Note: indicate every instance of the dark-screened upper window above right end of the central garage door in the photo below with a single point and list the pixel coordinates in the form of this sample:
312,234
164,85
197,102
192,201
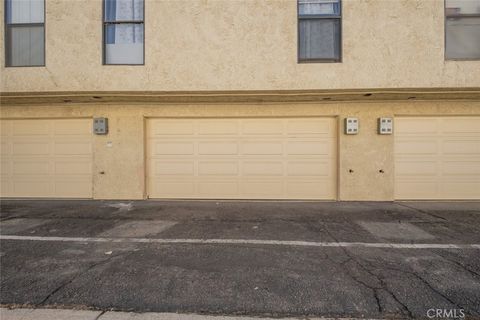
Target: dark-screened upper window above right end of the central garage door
319,30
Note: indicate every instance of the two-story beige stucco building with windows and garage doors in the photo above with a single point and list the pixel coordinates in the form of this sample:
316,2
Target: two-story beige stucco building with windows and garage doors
241,99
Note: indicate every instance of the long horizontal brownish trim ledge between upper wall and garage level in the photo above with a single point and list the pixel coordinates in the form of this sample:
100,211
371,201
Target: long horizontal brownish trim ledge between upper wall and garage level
248,96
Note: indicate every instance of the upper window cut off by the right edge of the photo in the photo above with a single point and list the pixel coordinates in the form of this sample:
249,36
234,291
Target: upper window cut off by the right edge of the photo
462,29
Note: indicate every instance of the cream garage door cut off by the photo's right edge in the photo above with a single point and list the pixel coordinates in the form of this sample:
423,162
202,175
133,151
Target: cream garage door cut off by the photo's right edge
437,158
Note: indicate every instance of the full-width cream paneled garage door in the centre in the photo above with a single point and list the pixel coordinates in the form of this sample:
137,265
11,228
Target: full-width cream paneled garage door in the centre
242,158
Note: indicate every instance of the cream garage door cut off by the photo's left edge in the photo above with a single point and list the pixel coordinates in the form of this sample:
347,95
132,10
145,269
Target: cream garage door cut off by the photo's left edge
46,158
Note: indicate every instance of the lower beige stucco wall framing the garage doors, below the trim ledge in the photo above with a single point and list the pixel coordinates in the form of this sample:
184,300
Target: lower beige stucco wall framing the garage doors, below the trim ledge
365,153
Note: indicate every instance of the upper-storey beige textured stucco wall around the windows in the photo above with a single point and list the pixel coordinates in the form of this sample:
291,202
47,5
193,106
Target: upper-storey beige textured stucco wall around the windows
245,45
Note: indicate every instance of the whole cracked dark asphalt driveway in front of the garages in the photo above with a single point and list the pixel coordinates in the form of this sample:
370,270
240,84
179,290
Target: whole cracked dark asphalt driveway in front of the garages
340,259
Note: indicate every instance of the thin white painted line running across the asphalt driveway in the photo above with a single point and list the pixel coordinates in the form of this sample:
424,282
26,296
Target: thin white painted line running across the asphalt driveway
249,241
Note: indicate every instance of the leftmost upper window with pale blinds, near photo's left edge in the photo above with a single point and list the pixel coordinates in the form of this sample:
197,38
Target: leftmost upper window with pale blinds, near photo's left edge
24,33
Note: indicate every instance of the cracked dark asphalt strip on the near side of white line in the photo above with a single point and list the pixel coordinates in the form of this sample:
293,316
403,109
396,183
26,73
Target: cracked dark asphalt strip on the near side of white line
241,279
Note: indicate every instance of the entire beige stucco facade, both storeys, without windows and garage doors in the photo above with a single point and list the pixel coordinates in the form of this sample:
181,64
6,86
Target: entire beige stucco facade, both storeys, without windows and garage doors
220,46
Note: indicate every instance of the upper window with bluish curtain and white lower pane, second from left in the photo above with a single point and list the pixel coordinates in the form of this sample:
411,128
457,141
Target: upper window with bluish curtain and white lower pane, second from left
123,32
